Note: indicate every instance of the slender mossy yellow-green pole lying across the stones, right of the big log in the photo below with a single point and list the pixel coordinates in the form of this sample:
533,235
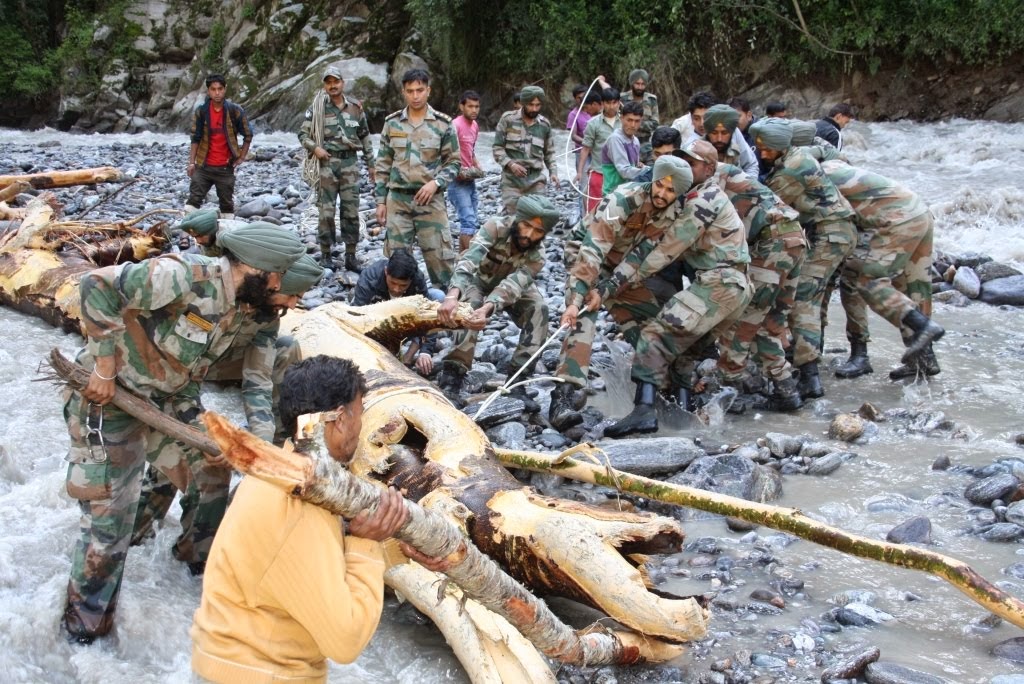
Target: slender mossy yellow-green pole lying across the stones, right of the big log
957,573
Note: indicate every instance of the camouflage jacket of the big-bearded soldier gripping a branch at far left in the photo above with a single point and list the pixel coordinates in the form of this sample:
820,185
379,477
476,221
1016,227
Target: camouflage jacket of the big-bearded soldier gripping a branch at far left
165,320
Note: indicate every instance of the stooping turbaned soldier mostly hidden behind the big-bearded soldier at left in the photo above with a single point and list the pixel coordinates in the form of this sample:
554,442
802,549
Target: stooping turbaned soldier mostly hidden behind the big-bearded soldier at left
259,357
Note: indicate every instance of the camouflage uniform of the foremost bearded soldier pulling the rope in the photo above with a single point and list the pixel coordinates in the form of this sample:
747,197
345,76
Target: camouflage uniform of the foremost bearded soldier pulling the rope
619,224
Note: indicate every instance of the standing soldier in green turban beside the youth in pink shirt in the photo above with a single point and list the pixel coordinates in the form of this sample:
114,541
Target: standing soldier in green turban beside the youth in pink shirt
524,146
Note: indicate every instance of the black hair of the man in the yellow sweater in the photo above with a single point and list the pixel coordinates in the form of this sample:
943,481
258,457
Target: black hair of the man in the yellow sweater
318,384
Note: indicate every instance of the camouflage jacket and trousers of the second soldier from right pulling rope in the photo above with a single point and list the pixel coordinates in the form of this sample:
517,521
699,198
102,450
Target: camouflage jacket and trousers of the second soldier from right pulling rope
798,181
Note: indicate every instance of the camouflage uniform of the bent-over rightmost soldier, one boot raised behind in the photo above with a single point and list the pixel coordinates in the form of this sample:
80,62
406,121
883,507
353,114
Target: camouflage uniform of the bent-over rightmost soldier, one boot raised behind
891,272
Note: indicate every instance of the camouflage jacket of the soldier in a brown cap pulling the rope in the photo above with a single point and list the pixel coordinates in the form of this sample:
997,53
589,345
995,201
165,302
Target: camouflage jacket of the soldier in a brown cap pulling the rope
707,235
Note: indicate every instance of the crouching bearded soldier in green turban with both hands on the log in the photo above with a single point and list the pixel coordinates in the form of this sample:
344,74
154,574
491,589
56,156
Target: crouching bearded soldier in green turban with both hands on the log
497,273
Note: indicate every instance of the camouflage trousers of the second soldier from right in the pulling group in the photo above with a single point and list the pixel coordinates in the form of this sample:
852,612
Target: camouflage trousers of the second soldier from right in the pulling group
833,243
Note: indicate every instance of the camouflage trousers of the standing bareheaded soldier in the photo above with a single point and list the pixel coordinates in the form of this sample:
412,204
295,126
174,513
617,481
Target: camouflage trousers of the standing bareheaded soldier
428,226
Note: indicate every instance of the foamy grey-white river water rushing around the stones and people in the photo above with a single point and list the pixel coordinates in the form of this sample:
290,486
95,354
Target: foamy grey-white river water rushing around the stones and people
972,176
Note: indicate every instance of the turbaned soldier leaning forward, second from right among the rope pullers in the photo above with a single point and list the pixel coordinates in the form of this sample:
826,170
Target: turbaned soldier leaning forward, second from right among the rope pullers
798,180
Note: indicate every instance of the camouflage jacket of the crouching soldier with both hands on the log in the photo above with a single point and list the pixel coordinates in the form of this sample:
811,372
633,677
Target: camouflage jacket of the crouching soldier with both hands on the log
494,262
